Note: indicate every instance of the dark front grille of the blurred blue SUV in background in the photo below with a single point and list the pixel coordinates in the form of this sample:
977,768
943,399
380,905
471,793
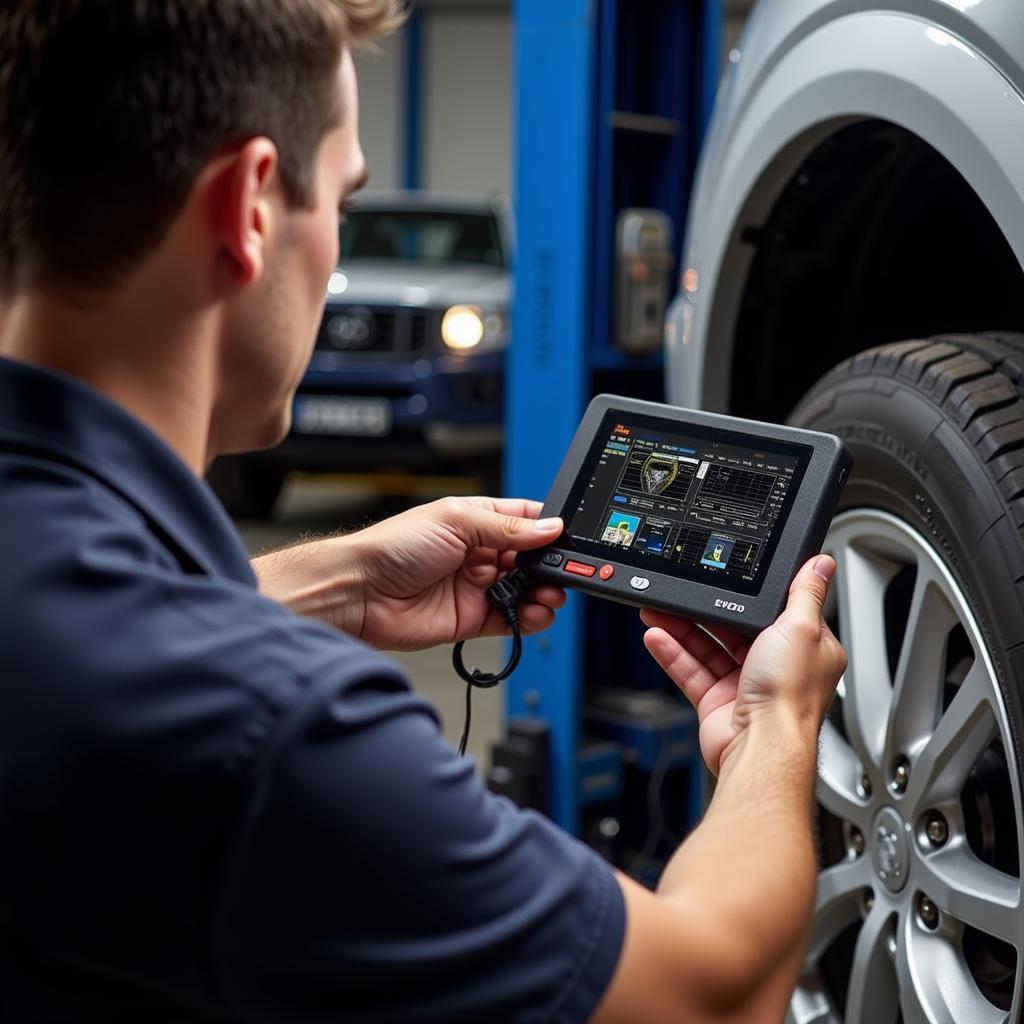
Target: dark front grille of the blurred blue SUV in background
360,331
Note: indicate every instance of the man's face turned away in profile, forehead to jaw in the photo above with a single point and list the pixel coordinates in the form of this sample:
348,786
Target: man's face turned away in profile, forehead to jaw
271,340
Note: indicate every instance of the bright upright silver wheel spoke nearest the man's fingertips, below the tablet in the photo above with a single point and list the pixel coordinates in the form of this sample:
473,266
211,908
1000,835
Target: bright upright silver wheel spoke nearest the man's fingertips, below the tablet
862,581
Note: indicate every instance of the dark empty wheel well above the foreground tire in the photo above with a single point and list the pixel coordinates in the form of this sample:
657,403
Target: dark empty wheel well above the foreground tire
876,238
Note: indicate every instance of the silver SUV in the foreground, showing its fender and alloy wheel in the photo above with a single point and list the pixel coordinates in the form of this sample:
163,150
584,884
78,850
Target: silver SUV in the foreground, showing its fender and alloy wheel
854,263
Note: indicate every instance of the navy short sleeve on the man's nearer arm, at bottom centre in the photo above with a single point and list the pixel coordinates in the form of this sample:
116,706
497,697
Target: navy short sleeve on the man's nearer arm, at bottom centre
377,879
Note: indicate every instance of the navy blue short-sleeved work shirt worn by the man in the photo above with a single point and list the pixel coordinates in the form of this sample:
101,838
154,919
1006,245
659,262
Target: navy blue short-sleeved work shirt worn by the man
215,810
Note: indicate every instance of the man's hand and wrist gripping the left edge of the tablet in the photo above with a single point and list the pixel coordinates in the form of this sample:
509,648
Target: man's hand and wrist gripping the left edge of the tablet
421,578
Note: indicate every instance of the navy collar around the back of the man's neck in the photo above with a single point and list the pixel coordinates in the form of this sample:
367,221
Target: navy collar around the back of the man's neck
58,416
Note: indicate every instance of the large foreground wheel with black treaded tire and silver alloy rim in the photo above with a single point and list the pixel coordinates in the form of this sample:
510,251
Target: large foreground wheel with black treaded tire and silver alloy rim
919,904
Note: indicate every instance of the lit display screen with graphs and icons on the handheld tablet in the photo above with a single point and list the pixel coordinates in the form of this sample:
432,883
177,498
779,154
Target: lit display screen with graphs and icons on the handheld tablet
699,503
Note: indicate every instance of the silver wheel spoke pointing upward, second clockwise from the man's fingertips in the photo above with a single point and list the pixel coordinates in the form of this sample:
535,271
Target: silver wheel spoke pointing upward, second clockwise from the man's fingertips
920,675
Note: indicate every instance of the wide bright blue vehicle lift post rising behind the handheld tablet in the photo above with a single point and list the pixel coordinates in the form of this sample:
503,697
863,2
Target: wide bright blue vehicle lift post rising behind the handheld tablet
613,98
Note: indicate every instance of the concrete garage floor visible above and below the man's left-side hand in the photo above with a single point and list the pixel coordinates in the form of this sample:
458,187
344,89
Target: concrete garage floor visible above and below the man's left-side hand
312,505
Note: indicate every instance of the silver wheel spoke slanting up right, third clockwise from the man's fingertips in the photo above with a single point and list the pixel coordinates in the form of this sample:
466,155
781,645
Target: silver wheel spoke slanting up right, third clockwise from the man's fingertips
963,734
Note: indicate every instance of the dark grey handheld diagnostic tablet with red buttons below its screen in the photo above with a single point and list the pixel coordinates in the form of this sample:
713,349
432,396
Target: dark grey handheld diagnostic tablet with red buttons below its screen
702,516
